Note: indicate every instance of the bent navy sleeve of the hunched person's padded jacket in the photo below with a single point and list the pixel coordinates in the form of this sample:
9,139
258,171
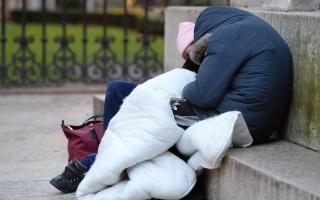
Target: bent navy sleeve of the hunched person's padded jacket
225,54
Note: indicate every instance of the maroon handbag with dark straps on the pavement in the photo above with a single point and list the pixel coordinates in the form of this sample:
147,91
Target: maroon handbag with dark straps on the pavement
83,139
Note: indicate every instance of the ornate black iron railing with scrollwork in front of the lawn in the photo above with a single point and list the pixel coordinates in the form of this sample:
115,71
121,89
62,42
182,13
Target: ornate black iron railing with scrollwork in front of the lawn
63,65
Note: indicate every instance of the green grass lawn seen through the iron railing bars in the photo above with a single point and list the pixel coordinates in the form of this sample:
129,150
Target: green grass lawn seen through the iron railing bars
75,30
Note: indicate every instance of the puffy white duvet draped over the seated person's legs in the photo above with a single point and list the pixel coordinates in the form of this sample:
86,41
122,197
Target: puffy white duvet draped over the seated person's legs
133,162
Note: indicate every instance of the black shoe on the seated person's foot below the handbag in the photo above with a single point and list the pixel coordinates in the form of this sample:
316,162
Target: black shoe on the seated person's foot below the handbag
69,180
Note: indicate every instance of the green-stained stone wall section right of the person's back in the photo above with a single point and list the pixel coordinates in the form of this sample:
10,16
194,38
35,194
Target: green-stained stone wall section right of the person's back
302,33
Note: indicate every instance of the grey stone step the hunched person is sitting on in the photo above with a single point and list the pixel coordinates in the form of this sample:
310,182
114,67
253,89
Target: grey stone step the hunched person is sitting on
276,171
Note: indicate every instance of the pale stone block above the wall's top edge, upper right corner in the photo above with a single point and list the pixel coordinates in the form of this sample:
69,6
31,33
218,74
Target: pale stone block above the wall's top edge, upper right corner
292,5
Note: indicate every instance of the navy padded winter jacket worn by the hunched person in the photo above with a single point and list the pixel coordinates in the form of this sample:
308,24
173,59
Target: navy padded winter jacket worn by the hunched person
247,67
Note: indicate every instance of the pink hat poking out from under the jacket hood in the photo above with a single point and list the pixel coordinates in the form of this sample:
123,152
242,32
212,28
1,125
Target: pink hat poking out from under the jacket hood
185,36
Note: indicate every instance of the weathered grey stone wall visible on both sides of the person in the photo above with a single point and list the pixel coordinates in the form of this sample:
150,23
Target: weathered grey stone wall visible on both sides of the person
301,30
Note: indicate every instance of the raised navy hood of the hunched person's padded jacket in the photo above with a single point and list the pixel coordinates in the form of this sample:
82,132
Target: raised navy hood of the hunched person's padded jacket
213,17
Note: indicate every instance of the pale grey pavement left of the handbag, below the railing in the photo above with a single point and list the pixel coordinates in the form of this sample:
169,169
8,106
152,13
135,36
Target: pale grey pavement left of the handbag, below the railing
32,145
